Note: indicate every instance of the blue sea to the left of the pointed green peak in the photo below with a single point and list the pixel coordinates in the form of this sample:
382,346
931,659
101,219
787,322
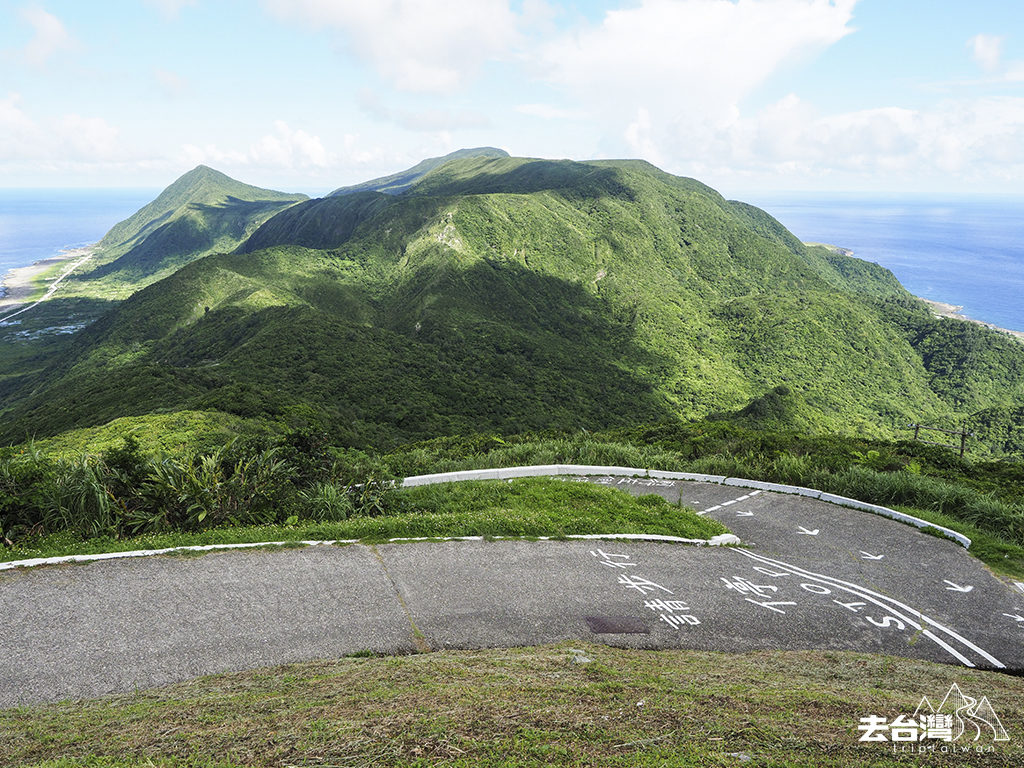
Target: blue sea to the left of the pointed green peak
38,224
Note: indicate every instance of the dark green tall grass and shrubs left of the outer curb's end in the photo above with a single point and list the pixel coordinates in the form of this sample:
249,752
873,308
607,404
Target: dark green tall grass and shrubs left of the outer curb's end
125,493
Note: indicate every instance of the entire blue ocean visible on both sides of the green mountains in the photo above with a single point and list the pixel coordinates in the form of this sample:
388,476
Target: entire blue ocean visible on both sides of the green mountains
966,252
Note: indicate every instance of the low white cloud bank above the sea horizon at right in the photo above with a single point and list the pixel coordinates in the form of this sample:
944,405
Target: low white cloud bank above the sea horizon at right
957,141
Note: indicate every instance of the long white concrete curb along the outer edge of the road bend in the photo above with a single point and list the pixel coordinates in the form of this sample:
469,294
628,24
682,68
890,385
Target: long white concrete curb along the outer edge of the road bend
584,470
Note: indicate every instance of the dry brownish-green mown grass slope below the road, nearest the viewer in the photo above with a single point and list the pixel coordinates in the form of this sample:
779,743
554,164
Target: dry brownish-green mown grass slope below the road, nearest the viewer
521,707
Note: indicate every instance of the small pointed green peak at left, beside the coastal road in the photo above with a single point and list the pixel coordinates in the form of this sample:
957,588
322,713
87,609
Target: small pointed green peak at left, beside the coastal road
202,212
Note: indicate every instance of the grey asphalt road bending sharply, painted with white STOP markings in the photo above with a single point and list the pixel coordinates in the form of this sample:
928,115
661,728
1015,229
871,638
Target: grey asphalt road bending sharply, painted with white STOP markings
813,576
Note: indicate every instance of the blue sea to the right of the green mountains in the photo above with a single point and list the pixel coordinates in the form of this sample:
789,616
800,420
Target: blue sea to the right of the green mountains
968,252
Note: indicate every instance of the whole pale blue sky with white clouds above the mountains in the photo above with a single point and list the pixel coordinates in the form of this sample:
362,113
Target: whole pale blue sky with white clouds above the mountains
878,97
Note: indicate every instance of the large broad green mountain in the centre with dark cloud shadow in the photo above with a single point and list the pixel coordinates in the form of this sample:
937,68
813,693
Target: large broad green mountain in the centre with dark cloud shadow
519,295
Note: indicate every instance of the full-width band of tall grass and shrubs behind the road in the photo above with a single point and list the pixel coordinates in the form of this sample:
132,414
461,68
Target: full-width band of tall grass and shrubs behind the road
301,478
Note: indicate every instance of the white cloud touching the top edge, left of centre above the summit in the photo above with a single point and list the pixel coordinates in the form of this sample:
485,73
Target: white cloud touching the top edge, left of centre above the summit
418,46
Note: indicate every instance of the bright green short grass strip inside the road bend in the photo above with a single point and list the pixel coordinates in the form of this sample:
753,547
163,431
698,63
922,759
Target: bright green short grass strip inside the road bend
529,507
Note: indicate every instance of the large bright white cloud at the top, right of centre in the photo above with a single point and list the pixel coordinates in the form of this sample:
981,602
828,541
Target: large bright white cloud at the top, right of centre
679,59
